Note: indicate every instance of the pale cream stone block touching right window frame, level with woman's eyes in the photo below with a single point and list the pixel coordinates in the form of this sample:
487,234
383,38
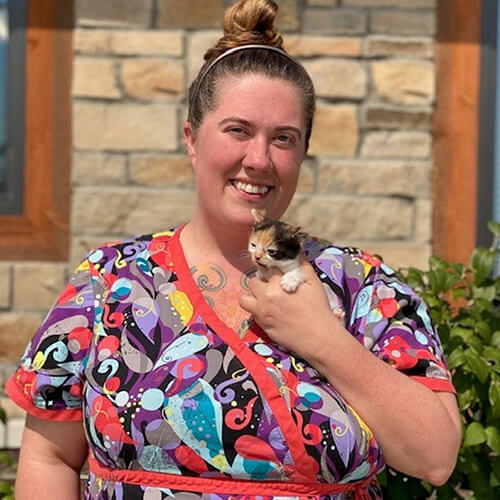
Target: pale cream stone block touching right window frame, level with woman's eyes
404,144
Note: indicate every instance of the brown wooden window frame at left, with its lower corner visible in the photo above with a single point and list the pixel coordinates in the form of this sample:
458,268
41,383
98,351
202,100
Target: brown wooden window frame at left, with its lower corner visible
41,231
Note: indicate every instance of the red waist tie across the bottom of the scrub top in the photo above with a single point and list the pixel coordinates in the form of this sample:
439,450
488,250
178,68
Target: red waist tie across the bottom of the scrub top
227,486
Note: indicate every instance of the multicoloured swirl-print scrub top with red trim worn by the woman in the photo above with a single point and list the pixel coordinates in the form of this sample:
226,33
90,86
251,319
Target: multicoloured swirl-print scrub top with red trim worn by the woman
176,405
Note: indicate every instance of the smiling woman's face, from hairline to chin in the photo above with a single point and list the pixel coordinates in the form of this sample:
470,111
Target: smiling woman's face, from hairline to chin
248,150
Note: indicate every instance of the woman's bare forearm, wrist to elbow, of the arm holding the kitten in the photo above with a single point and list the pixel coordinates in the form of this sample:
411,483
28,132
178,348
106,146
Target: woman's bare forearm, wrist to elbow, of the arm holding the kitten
416,431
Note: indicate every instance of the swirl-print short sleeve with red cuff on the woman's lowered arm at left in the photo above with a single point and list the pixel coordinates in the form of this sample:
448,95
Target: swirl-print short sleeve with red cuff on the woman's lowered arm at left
48,382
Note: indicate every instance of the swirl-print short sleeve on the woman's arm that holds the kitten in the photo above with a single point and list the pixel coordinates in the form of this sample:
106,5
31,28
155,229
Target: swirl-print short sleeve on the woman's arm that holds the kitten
394,323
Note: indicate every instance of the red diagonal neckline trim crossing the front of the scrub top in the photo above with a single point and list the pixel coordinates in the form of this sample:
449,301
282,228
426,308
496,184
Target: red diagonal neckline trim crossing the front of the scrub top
305,466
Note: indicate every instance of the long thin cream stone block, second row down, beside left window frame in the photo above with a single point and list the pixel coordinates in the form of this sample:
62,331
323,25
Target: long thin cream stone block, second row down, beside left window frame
128,42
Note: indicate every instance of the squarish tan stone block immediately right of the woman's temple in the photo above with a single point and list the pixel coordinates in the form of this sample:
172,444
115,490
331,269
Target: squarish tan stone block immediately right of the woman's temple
335,130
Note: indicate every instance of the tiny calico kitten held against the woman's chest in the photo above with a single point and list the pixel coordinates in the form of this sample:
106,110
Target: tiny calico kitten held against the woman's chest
276,245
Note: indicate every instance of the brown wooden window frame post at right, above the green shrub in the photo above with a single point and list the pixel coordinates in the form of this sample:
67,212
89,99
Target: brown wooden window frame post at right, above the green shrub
456,129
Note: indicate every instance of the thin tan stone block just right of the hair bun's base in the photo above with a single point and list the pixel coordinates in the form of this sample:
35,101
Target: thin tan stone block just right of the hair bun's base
308,46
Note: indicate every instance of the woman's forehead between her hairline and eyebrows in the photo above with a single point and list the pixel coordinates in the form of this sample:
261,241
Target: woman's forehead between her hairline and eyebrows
255,96
